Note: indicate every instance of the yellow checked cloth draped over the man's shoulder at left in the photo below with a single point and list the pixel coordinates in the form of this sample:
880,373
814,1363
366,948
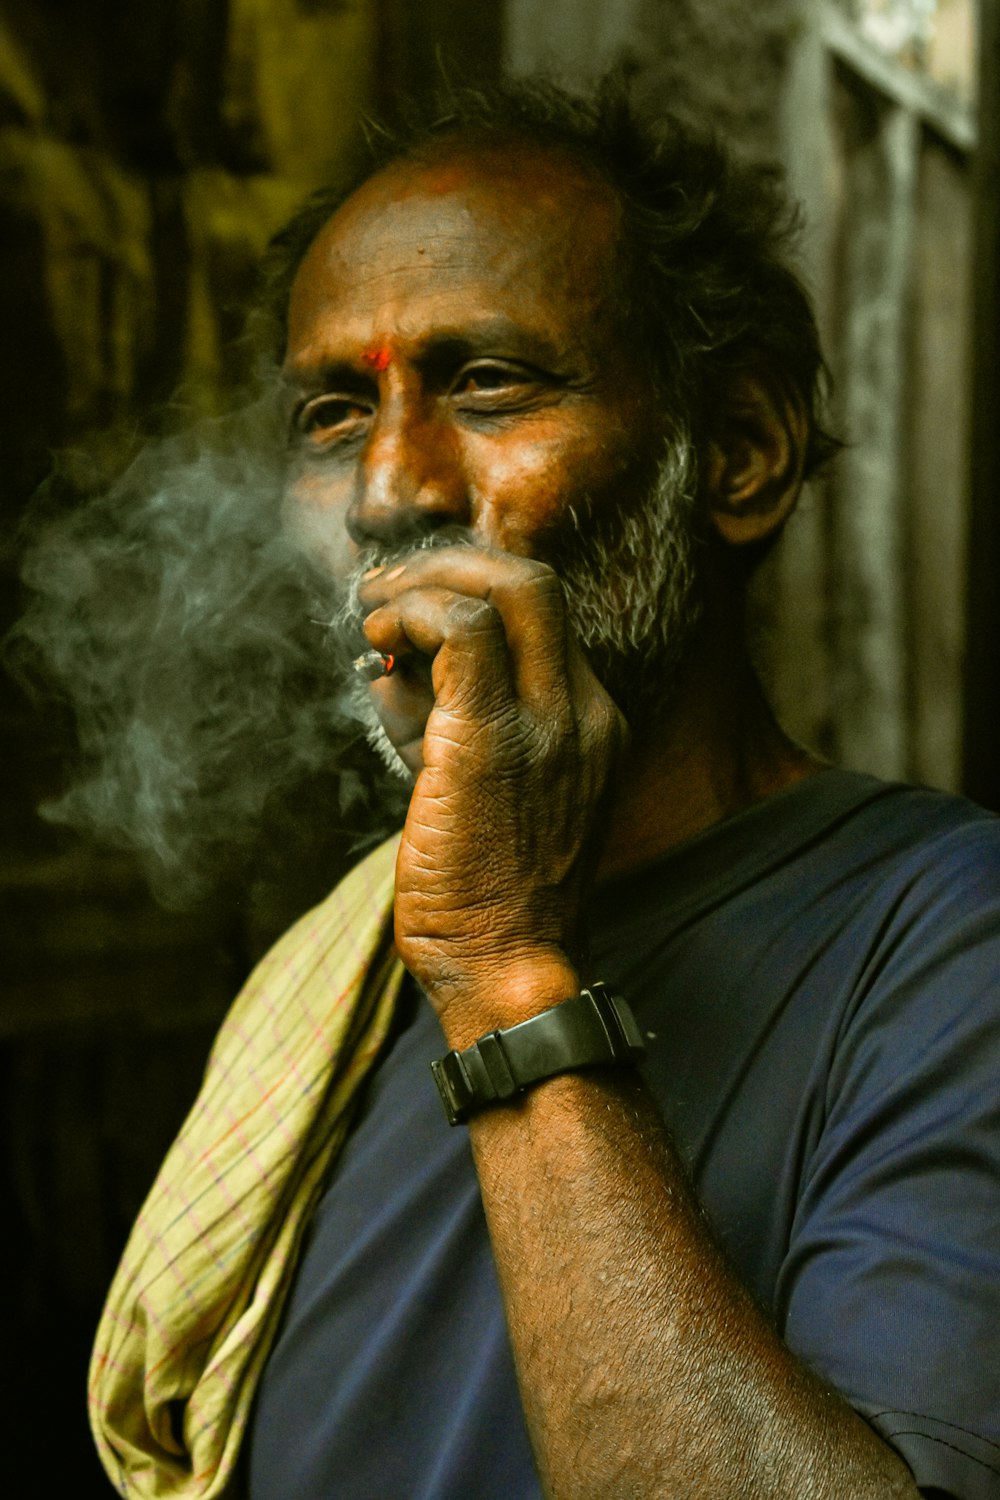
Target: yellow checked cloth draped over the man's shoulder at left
196,1303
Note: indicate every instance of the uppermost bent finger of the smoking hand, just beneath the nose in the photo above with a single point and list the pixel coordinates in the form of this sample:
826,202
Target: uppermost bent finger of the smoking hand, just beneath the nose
527,595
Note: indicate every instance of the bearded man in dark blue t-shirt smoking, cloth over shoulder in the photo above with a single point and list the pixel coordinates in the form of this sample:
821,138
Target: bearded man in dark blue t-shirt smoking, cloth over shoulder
759,1262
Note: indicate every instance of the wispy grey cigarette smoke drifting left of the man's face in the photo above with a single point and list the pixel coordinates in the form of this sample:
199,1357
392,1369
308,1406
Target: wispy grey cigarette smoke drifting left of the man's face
214,701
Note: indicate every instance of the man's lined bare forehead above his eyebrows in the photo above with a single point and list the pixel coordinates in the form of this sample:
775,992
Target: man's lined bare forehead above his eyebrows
524,233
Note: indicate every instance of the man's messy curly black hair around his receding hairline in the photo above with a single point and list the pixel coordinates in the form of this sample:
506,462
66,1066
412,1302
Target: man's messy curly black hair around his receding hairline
705,281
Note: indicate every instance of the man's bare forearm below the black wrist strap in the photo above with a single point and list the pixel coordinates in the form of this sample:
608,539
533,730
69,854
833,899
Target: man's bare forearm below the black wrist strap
645,1369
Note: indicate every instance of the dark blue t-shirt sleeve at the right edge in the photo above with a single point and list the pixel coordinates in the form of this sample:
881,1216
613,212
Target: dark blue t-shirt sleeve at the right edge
891,1288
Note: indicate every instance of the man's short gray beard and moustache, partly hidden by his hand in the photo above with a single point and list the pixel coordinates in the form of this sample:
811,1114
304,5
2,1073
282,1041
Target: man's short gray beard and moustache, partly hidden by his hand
632,590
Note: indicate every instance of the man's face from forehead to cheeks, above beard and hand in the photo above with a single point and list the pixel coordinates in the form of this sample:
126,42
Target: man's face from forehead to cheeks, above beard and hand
454,359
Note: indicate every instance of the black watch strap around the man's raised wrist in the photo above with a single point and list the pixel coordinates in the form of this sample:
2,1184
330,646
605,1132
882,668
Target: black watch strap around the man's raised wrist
590,1030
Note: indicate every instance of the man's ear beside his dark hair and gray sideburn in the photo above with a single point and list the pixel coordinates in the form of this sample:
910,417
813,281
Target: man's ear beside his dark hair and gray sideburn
755,460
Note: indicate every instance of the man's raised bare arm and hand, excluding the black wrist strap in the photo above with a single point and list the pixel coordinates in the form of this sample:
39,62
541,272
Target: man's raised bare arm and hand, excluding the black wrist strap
644,1366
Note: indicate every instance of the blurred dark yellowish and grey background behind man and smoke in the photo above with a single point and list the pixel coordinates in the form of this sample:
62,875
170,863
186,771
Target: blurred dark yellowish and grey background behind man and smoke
146,155
